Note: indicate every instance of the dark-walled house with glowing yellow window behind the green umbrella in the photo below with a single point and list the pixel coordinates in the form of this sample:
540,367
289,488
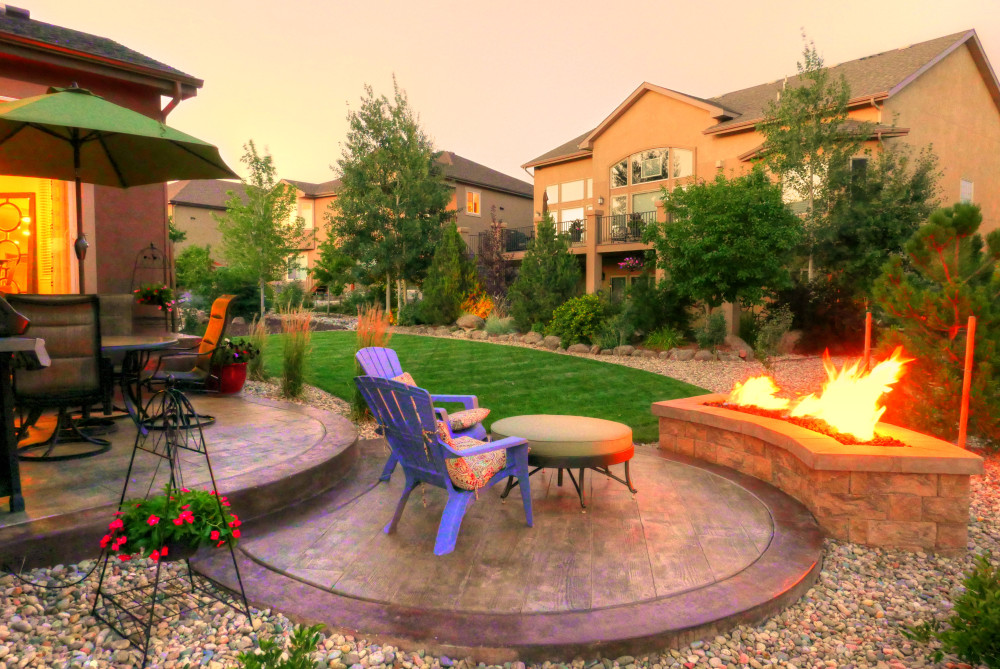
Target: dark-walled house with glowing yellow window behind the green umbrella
35,55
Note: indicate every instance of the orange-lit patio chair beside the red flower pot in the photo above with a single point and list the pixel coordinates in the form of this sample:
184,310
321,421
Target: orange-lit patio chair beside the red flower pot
191,369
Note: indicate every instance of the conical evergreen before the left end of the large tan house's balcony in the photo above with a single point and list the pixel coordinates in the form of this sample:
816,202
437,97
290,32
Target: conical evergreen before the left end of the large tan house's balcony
548,277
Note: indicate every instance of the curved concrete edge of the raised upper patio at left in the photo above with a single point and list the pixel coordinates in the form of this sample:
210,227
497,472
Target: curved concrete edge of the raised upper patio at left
71,537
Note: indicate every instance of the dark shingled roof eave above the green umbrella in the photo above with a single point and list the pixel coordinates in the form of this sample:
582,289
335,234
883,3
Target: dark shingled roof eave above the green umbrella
18,29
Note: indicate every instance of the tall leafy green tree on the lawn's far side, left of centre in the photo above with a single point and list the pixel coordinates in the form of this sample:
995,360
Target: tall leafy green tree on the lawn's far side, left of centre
393,201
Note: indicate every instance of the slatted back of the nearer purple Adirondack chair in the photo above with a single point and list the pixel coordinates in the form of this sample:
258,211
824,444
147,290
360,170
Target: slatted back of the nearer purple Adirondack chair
407,417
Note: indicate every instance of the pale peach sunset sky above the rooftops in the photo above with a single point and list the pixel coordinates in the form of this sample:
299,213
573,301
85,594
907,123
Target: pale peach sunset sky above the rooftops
496,82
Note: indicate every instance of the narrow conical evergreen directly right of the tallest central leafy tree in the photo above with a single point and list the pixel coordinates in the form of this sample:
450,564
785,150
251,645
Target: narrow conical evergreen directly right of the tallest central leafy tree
450,277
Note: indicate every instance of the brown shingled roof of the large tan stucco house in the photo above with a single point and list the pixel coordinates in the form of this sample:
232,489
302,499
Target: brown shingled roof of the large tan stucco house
870,78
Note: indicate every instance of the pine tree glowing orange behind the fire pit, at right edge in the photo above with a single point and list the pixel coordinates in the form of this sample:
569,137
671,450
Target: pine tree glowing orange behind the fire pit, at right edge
950,278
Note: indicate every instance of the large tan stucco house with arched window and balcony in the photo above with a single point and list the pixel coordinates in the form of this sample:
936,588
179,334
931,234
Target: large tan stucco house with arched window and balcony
602,186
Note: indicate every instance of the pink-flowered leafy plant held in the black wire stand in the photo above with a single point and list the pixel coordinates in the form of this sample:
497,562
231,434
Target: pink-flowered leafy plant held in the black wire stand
171,526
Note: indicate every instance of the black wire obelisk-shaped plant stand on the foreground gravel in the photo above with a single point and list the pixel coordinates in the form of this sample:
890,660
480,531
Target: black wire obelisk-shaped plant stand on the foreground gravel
146,595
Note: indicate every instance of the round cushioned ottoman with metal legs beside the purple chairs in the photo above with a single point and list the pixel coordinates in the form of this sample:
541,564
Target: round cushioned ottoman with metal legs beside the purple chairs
571,442
